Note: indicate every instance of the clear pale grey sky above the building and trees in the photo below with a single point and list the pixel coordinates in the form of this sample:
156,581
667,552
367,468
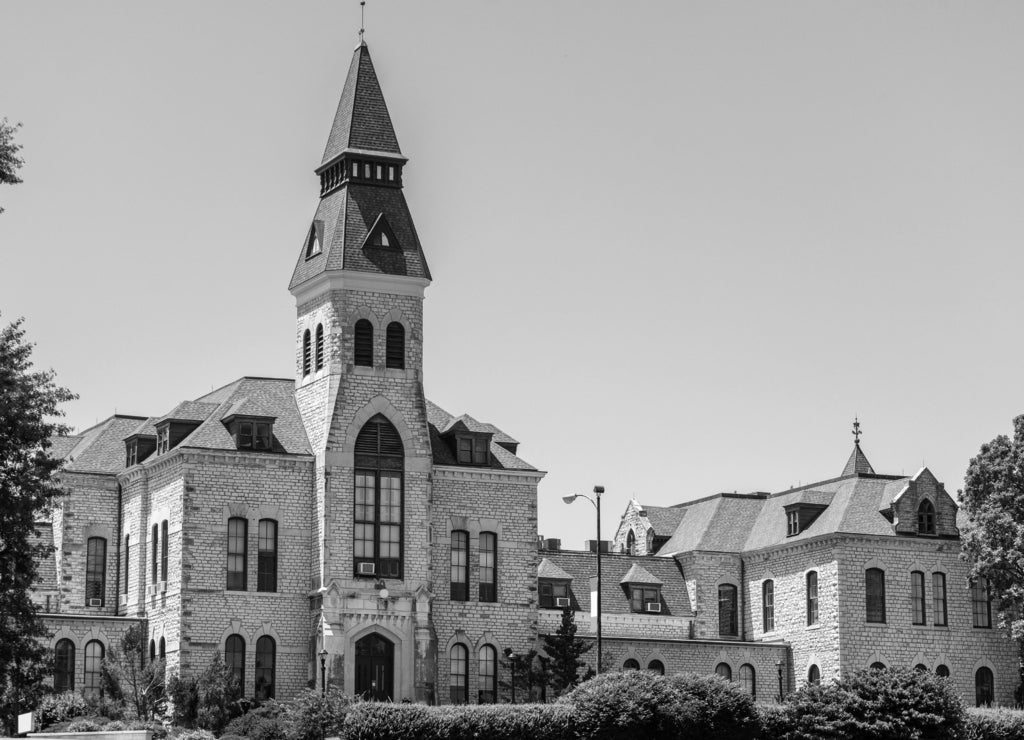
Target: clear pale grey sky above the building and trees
676,246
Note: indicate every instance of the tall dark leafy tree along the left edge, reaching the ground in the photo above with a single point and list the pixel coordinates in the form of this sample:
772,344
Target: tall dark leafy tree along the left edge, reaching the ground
30,404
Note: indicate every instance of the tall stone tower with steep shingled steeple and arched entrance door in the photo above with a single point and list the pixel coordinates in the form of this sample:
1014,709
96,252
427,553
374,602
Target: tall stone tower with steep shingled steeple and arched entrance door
359,286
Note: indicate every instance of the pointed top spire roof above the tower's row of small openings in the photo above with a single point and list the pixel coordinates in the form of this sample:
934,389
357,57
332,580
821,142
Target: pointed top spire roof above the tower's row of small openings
363,121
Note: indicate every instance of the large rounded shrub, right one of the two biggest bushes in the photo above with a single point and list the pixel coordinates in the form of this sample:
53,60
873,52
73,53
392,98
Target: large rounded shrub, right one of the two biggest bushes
881,705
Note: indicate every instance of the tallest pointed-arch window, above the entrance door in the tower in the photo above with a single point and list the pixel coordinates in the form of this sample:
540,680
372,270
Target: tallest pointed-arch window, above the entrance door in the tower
378,513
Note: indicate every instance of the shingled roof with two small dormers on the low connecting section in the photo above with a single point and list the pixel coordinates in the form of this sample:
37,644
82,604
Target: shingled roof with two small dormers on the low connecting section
615,595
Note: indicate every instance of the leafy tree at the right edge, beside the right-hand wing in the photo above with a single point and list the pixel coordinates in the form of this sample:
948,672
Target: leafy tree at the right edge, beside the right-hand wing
993,499
